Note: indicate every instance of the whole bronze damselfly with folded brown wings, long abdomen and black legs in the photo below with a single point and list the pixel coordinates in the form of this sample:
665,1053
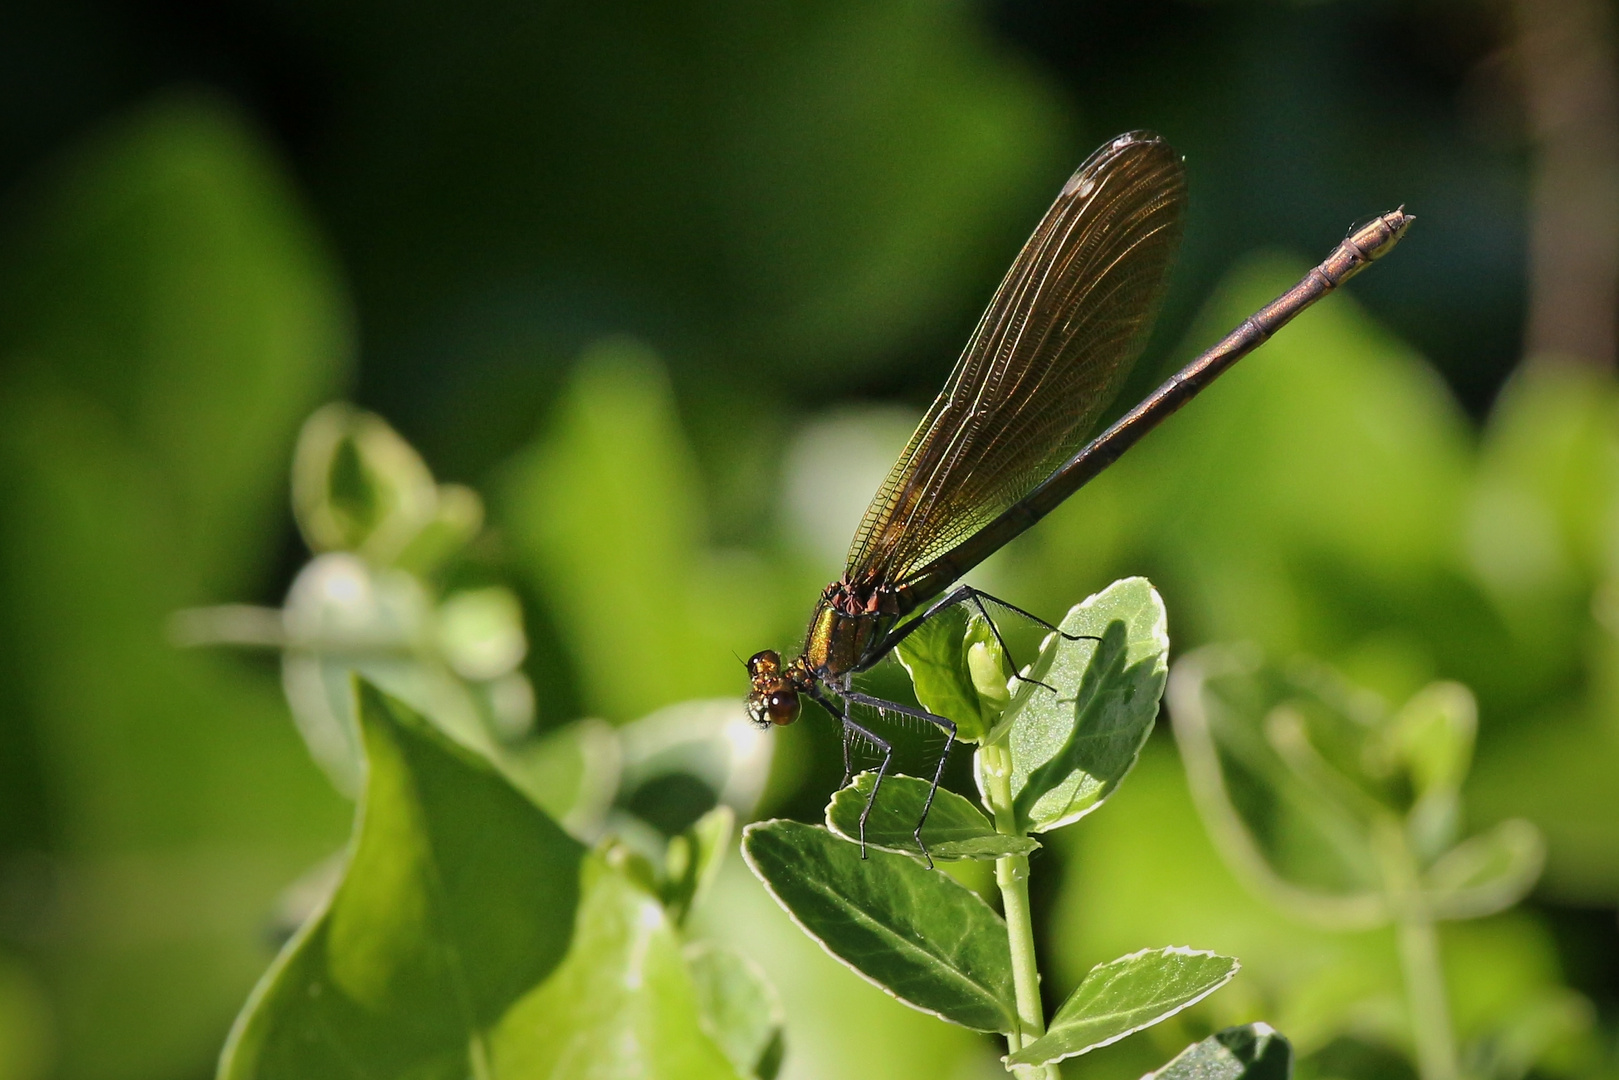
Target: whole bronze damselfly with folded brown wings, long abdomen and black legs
1008,440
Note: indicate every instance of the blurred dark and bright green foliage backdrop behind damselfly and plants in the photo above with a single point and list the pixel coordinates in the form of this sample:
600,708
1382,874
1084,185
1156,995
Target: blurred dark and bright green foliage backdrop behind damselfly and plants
668,286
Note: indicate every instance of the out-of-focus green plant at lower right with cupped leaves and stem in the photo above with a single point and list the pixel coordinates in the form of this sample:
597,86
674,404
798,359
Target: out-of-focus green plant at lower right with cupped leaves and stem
1346,815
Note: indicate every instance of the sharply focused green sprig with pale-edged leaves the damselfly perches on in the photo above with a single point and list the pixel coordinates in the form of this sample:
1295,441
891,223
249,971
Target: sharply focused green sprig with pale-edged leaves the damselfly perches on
1053,746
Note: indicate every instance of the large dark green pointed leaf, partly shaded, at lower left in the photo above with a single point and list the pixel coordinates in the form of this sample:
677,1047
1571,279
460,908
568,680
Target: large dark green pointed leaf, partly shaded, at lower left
459,898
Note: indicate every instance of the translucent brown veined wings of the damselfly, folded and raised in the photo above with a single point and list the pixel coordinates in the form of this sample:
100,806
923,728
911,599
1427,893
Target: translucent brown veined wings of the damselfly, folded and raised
1047,359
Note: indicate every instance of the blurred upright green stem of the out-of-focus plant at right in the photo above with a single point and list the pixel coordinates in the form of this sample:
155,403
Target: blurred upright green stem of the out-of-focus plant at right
1419,945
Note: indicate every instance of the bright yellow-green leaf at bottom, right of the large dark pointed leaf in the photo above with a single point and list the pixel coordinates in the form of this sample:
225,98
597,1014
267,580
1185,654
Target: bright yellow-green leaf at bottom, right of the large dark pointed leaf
621,1008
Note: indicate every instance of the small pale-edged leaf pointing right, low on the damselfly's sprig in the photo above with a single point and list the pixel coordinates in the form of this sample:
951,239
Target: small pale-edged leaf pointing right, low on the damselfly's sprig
1124,997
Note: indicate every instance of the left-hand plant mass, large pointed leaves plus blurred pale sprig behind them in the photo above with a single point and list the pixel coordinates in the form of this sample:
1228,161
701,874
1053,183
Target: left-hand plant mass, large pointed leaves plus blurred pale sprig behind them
501,909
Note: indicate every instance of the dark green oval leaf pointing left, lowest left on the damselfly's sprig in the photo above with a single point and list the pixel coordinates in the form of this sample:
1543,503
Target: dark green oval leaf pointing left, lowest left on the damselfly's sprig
914,932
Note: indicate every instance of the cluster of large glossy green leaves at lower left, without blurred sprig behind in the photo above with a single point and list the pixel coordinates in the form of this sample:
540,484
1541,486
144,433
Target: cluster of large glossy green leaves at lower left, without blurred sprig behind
470,935
